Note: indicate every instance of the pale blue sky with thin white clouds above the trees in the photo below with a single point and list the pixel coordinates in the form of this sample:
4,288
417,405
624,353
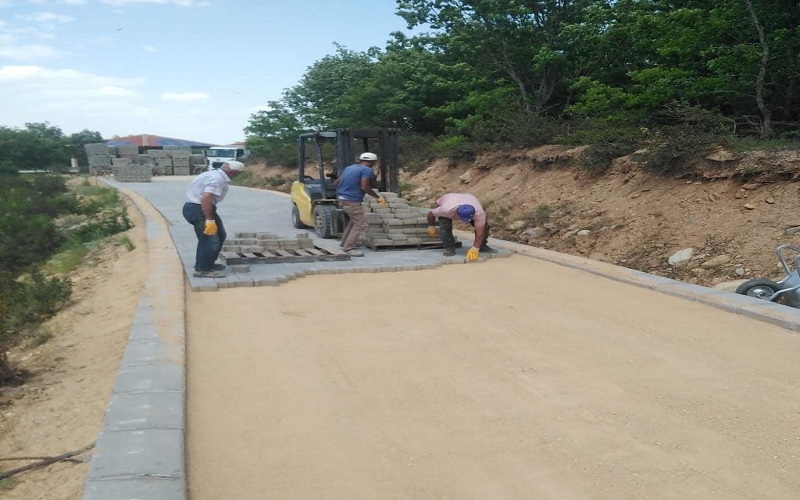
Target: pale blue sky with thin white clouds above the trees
189,69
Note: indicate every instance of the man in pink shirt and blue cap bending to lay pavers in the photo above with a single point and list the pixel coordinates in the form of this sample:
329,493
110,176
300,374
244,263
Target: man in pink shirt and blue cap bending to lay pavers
466,208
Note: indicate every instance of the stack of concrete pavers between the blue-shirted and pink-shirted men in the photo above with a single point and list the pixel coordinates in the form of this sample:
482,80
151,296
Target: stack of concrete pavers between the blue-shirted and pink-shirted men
399,224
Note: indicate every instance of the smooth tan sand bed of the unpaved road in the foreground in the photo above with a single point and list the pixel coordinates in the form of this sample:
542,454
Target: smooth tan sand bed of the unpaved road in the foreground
500,380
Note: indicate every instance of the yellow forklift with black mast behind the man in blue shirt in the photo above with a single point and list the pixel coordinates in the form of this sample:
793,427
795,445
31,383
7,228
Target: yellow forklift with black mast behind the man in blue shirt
314,202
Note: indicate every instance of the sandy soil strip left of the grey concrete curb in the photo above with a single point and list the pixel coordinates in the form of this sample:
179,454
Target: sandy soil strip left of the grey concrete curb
61,408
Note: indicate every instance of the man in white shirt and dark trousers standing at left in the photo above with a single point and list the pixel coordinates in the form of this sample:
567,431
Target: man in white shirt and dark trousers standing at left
203,195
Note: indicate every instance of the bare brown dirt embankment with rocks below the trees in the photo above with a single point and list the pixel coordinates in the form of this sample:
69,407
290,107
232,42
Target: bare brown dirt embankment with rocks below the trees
732,213
